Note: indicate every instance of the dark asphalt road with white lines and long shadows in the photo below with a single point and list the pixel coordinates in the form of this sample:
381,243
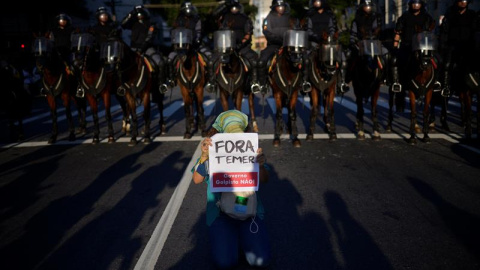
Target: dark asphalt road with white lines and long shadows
346,204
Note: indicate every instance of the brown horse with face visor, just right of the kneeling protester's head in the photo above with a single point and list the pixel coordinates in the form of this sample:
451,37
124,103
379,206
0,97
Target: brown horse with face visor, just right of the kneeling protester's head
285,77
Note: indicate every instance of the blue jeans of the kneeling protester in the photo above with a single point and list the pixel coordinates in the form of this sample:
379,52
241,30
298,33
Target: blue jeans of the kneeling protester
227,235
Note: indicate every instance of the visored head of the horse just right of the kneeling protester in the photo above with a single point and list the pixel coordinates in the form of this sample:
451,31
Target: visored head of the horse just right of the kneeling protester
295,42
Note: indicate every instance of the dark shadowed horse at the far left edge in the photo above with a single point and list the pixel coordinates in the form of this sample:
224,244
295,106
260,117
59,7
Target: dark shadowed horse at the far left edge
16,101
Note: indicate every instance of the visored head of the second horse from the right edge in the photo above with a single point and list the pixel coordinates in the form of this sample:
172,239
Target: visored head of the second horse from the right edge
424,44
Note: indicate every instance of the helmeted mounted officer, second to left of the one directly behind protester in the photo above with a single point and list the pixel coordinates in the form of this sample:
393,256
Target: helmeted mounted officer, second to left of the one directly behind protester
143,33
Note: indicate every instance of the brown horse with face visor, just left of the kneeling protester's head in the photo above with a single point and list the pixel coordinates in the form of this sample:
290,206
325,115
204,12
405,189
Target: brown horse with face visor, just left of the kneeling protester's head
190,67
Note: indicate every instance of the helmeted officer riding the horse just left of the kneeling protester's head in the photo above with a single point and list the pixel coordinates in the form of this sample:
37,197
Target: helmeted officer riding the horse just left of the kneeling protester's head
188,18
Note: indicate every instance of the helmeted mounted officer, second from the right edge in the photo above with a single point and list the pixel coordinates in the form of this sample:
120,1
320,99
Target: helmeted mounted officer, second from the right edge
415,19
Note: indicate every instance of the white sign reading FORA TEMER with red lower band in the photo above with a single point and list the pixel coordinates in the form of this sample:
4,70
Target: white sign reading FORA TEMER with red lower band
233,162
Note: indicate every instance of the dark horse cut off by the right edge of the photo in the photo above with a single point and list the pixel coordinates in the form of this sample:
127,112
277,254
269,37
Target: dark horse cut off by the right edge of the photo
472,87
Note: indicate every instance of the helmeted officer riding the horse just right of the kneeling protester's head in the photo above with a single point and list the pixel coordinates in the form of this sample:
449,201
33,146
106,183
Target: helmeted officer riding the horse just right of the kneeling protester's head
275,25
